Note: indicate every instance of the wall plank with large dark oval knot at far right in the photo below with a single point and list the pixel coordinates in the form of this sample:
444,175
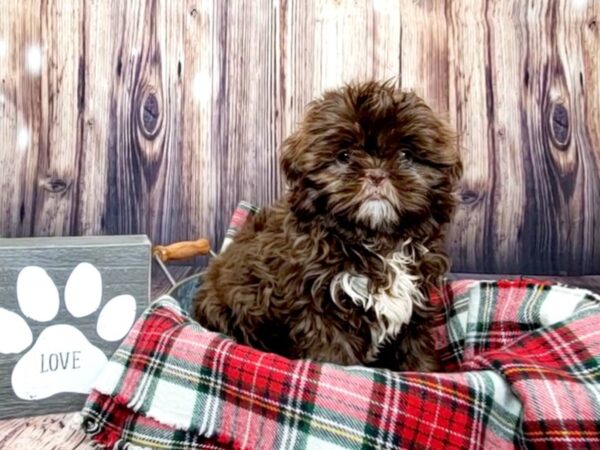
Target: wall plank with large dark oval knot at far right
561,166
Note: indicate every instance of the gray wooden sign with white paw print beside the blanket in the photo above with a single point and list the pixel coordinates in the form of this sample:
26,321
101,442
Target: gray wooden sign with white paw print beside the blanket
65,305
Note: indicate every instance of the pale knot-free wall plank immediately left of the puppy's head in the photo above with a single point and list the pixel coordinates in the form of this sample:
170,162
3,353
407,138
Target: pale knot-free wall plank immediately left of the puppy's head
245,136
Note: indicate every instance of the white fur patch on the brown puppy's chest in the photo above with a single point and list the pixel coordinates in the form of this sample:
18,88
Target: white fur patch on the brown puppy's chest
392,303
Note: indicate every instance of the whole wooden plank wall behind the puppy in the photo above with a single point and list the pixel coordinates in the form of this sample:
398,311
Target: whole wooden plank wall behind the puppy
157,117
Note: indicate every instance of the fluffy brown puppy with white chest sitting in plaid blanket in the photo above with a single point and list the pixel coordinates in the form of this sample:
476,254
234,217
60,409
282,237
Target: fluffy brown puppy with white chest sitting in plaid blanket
338,269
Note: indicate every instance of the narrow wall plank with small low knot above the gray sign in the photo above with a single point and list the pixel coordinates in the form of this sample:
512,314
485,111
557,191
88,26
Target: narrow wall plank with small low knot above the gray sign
59,124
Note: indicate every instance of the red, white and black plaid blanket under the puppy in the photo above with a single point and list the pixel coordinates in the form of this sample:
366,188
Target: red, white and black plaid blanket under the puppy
523,364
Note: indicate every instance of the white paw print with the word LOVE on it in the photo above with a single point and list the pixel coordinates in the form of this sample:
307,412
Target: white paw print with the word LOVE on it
62,359
